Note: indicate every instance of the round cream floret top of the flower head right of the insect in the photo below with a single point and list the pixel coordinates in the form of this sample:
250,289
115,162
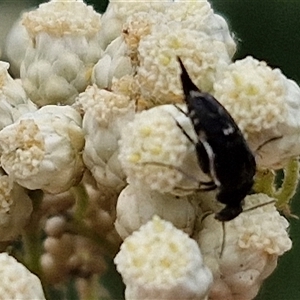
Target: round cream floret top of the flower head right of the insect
254,94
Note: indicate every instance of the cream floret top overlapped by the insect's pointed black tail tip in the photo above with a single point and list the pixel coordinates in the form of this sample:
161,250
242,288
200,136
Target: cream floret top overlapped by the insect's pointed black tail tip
158,71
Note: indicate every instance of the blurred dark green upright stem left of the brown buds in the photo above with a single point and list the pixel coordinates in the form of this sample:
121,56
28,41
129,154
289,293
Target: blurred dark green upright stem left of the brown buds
32,241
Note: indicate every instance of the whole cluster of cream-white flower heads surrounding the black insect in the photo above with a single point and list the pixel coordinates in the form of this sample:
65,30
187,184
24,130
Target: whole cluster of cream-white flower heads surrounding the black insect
100,102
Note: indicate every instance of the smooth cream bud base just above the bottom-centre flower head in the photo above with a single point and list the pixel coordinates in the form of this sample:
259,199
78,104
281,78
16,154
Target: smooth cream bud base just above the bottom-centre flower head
136,206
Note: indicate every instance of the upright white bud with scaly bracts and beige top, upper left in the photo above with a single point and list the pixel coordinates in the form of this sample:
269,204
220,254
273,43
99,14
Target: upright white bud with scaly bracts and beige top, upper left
57,66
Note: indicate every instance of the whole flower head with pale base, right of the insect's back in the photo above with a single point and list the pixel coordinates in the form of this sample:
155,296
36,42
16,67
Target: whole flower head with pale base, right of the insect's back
265,105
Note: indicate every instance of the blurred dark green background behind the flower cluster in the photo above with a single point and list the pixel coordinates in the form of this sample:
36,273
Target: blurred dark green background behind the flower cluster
269,30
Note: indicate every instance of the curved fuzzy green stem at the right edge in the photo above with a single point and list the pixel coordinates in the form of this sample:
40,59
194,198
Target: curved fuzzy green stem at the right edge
289,185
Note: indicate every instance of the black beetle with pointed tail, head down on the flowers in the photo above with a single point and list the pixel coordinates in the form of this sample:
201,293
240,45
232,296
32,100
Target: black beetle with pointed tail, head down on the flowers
221,149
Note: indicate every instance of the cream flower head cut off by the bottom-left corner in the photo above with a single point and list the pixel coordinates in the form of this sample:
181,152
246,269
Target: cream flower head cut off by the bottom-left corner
18,282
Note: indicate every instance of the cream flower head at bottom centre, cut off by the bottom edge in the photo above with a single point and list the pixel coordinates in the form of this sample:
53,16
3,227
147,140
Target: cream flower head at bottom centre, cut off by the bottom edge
162,262
